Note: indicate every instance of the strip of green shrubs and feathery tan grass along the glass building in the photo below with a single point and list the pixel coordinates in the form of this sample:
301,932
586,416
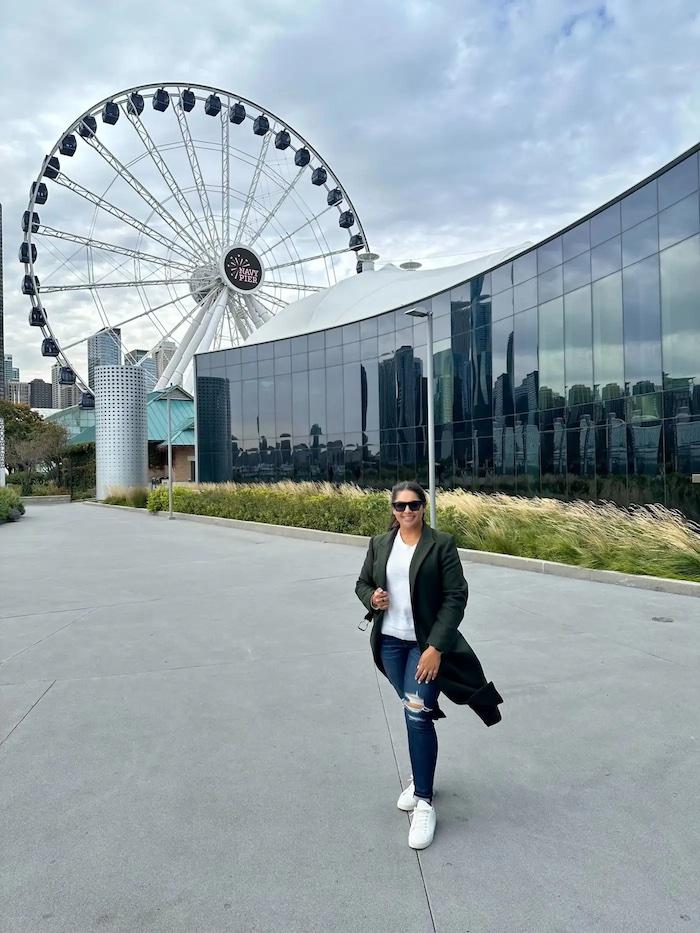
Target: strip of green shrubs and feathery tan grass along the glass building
650,539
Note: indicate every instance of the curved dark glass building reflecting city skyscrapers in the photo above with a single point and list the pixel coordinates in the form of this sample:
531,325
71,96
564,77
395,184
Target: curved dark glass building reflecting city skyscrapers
572,370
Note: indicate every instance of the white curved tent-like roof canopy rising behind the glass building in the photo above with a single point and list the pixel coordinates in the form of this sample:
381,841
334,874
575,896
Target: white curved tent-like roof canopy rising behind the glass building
370,293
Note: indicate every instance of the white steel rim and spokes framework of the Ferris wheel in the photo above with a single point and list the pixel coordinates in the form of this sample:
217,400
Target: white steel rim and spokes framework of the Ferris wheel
184,255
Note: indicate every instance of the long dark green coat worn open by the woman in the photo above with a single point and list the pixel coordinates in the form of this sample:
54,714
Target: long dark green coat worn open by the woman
438,597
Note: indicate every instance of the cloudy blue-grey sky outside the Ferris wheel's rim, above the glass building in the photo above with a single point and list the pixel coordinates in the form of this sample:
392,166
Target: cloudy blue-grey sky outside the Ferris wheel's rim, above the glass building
458,127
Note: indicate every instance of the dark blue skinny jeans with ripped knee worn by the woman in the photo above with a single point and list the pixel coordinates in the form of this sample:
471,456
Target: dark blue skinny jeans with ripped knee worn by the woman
400,659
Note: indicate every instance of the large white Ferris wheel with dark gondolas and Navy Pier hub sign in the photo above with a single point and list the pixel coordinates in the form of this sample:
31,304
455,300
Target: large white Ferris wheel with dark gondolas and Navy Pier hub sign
177,216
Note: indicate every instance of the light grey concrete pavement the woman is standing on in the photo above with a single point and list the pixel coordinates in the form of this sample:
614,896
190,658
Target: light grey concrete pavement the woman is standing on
193,737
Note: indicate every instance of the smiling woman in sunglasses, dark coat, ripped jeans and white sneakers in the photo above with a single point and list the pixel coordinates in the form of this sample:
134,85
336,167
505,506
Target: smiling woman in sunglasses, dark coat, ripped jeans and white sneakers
413,585
